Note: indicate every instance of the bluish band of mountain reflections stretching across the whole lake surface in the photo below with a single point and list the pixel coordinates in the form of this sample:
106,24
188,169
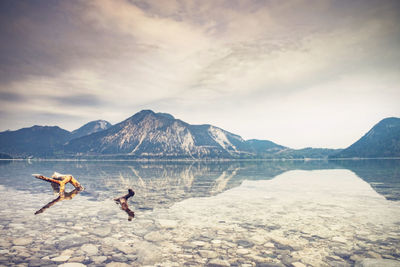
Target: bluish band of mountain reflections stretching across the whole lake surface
164,183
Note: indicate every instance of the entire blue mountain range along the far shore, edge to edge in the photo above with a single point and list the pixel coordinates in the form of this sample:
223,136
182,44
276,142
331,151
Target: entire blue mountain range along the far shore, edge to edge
151,135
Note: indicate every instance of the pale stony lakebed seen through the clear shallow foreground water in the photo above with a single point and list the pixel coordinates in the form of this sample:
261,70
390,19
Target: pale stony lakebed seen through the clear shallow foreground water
299,218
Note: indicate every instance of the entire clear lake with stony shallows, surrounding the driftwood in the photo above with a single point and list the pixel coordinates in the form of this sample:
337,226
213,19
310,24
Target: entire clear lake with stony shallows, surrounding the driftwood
236,213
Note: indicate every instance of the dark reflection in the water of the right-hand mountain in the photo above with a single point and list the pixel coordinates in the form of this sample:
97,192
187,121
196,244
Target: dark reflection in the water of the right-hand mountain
382,175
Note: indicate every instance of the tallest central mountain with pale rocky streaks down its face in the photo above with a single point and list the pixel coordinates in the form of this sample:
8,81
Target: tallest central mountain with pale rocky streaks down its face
150,134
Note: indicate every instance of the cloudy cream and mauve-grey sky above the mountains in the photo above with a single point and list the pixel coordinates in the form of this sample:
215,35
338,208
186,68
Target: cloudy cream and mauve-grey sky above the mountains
300,73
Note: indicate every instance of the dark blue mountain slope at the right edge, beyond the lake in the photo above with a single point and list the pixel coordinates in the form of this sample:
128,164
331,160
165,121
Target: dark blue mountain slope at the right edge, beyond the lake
382,141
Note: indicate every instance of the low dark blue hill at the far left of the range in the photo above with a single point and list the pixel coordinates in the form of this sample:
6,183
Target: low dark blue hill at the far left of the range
40,141
